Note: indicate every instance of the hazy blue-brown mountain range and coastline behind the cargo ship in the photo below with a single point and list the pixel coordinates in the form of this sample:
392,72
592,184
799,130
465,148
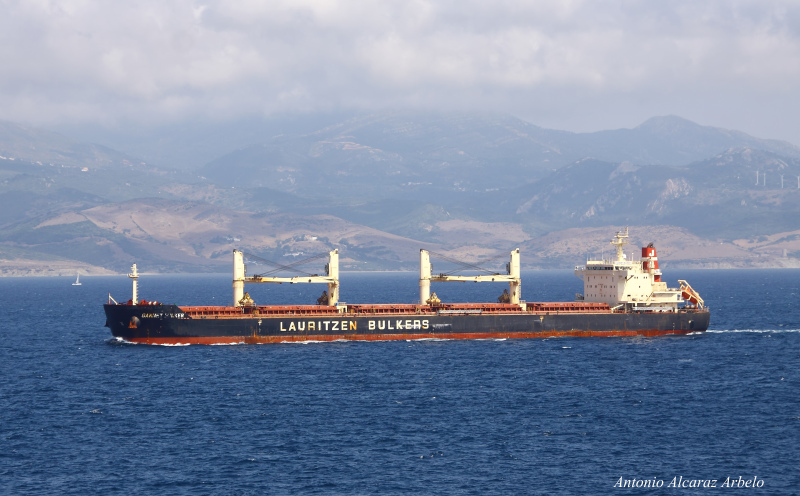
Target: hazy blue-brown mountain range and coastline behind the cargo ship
381,186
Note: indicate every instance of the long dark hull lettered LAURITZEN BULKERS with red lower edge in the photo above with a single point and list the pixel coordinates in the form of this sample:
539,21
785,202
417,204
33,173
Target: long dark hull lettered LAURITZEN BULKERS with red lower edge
170,324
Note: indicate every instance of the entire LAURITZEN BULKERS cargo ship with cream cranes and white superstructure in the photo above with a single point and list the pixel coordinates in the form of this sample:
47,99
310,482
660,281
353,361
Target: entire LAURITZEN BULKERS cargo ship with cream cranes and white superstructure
621,297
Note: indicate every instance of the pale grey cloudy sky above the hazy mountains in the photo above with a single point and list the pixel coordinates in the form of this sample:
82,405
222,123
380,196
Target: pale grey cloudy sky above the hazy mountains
574,65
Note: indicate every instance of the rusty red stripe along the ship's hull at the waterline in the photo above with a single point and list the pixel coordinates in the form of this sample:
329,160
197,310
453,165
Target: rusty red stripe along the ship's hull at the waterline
395,337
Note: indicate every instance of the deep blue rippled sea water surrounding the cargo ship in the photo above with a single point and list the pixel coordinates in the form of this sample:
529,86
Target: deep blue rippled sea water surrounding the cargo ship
81,413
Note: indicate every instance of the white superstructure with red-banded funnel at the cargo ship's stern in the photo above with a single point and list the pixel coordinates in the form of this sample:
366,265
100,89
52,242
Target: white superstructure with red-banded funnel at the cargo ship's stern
633,284
